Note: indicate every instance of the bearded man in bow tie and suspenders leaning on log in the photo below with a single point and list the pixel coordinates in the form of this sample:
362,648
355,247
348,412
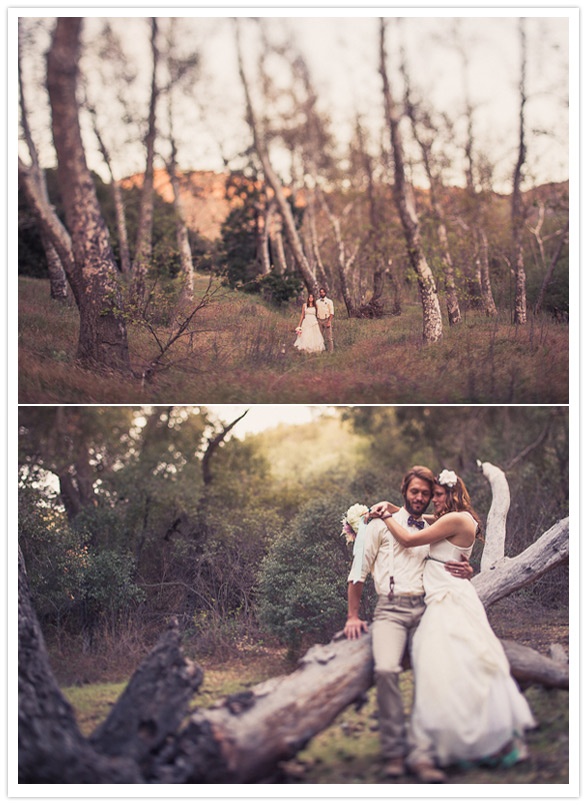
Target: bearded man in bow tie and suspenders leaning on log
399,608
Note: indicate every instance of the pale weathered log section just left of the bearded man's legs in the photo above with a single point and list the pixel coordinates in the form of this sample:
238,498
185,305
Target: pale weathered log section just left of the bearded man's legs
273,721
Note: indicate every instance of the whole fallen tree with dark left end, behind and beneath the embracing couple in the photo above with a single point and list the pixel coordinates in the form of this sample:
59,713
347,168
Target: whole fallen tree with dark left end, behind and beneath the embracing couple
245,736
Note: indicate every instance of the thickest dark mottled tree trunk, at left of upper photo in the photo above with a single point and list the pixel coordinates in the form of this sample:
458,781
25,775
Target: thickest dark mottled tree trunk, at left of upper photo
102,336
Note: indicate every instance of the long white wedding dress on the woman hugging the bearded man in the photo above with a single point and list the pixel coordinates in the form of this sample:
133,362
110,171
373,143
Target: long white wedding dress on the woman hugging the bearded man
467,706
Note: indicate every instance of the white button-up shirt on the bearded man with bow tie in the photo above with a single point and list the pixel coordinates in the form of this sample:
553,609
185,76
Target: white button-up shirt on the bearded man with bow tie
408,563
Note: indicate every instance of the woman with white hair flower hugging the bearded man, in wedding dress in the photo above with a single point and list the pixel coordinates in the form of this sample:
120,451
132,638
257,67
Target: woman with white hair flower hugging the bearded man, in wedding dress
467,706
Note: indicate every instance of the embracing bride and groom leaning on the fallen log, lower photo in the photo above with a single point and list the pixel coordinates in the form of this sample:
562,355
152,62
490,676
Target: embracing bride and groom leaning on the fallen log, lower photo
467,707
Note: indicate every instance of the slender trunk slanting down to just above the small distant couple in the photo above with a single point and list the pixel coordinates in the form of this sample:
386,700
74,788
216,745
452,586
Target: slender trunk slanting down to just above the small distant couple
292,234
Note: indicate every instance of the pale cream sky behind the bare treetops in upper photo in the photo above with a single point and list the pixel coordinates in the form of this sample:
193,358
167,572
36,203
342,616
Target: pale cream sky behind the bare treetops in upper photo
341,48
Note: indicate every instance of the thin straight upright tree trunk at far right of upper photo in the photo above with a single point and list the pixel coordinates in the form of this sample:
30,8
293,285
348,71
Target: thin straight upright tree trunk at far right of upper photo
520,316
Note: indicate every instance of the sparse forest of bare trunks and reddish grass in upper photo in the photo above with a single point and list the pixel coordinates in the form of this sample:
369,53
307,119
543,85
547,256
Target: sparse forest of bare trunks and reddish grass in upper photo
428,233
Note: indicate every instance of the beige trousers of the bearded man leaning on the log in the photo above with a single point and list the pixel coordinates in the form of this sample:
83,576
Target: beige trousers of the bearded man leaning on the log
394,624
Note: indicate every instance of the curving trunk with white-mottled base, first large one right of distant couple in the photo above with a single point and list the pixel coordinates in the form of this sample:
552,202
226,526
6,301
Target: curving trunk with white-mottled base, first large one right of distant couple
432,324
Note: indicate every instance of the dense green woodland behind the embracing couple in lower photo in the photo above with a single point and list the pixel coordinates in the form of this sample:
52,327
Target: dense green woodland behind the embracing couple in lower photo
133,517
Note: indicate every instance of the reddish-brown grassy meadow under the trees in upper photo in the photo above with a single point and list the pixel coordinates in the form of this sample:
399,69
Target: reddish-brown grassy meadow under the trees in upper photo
243,353
